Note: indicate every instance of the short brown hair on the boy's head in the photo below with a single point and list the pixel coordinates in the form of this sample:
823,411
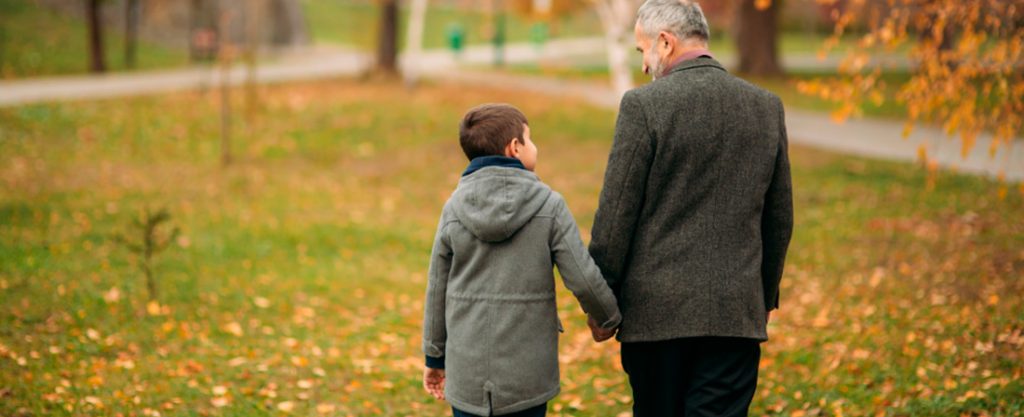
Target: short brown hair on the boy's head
487,130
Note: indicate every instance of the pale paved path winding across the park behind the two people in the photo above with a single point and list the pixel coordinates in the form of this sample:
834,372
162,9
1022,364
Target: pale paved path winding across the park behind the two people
870,138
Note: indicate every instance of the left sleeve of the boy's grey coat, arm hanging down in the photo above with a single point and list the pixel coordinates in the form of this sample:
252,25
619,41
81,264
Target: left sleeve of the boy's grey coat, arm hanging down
435,330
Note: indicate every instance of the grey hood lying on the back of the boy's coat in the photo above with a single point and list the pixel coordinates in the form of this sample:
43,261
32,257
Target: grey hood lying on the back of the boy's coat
494,203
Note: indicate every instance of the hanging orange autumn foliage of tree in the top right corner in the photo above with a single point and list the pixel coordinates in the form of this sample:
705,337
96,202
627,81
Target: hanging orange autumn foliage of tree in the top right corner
966,61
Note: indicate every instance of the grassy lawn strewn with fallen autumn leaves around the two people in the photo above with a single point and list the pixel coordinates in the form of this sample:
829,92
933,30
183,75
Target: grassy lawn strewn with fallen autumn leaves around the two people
295,285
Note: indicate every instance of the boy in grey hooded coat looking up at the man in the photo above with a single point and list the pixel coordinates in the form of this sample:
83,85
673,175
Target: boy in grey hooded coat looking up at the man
491,325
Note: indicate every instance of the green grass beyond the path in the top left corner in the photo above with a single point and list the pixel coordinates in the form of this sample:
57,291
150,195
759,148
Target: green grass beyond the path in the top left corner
36,41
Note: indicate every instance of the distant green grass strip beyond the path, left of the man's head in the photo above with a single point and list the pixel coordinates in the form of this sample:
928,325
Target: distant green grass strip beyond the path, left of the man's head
354,23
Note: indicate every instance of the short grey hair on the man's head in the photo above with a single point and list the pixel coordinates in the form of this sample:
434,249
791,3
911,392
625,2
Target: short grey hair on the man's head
681,18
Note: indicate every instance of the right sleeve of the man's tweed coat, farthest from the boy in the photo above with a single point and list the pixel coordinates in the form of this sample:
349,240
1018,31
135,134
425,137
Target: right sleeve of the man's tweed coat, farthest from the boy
777,220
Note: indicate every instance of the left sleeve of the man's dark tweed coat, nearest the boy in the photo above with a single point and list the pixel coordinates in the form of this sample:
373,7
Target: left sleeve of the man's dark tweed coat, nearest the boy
623,195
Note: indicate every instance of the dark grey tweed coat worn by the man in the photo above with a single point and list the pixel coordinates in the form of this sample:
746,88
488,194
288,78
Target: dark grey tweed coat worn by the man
696,215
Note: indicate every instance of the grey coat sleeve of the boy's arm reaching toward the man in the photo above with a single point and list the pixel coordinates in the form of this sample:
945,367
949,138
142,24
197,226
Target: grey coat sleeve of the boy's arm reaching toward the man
579,272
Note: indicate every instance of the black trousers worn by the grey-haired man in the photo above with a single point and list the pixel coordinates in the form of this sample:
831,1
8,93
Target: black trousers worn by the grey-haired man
697,377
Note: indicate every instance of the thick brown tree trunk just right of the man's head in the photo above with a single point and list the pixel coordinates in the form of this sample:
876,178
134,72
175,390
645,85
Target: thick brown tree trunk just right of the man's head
757,39
